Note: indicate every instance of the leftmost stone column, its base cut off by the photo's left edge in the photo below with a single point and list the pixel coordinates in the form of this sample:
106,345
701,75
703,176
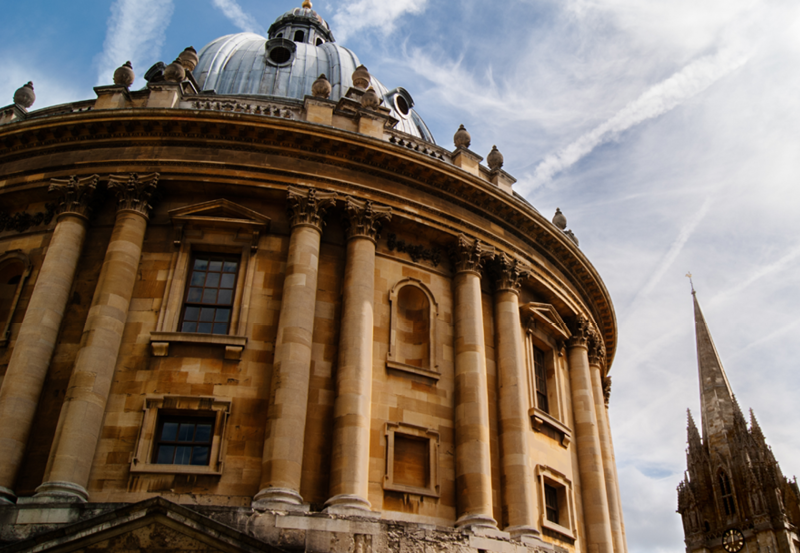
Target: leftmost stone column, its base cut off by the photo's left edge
36,341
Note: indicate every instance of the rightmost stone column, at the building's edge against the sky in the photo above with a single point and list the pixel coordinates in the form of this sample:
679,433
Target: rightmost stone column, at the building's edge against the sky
597,355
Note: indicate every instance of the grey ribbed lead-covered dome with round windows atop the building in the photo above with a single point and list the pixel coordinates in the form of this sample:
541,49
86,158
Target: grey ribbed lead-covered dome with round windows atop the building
300,47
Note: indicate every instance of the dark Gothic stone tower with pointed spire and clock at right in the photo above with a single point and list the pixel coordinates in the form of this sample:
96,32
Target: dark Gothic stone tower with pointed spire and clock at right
734,496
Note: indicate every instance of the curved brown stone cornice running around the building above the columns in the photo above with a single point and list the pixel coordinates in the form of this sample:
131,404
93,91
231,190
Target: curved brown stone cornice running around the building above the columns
311,142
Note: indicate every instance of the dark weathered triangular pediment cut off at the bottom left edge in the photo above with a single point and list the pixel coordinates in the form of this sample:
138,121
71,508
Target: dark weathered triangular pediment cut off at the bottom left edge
154,525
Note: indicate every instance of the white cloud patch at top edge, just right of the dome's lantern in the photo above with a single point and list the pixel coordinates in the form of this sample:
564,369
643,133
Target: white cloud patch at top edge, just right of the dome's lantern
359,15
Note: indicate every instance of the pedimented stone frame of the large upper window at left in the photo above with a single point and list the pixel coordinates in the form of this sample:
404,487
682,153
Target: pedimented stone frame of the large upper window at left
214,227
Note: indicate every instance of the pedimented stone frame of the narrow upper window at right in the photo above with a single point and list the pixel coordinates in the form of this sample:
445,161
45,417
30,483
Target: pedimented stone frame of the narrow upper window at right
546,331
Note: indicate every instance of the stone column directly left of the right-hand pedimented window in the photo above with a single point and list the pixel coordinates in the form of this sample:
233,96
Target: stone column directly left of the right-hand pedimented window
515,425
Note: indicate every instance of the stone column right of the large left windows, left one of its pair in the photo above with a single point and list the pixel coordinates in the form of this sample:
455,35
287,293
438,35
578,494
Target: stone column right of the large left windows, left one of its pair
282,462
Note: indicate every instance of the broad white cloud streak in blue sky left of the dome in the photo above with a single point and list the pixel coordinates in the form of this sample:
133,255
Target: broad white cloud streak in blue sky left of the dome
135,33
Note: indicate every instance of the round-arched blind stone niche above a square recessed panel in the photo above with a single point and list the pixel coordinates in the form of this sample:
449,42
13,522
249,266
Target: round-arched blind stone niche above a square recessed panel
412,336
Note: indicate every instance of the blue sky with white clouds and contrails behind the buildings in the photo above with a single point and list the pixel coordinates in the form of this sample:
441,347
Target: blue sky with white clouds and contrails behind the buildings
667,132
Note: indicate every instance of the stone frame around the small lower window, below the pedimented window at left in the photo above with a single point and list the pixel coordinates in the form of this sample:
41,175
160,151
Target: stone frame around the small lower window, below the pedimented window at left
173,405
